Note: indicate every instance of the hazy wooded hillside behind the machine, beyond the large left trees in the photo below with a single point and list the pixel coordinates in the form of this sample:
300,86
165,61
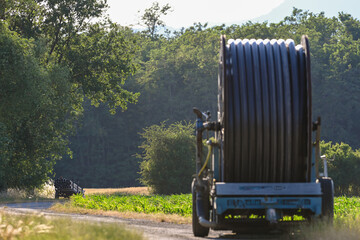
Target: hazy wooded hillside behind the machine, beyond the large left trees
179,71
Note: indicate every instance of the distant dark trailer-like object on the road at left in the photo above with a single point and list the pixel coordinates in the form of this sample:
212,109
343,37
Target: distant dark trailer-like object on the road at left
65,188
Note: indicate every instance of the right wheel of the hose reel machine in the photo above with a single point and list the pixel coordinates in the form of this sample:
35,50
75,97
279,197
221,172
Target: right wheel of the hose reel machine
327,209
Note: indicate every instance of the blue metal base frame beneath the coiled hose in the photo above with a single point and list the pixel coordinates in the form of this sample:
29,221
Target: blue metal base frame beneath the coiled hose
271,197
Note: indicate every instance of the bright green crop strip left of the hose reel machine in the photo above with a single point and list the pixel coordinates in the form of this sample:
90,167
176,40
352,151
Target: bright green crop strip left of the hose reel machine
174,204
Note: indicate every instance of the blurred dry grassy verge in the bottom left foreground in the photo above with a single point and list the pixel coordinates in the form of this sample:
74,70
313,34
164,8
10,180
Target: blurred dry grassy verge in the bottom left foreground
37,227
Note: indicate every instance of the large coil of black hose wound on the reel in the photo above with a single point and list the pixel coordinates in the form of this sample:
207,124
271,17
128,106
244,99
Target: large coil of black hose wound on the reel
265,110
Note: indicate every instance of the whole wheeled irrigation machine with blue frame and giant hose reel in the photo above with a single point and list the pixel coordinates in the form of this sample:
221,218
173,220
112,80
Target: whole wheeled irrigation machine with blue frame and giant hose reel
262,168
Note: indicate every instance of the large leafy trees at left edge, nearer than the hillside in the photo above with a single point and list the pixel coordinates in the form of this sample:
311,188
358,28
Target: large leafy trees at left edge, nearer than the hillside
51,59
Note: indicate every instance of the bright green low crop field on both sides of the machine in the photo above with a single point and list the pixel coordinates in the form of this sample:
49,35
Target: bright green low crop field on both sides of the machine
347,209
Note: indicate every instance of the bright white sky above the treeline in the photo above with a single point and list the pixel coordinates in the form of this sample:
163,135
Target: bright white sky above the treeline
187,12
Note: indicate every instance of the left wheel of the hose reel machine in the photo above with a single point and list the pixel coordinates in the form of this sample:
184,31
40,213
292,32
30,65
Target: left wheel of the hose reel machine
198,230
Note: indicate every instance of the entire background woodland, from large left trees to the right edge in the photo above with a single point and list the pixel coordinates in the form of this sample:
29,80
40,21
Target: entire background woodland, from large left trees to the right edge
76,93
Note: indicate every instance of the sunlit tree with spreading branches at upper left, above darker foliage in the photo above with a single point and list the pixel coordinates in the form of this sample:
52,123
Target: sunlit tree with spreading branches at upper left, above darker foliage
99,55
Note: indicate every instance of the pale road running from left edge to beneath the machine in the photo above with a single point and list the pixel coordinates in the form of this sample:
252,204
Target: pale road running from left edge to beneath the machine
152,230
